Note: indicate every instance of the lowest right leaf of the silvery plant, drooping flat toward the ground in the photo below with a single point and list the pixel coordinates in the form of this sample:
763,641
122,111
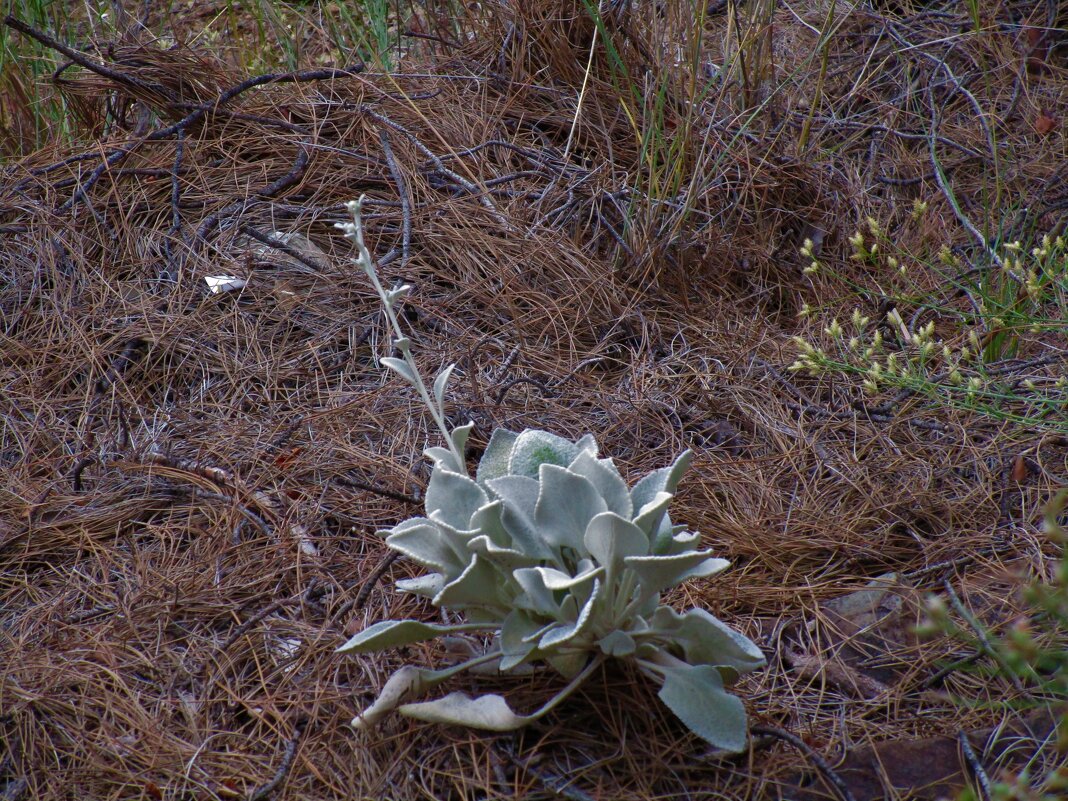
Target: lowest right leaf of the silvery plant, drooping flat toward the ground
696,695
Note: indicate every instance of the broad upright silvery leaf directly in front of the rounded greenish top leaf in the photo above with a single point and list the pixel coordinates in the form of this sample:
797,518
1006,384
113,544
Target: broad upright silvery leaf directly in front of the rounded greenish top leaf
567,505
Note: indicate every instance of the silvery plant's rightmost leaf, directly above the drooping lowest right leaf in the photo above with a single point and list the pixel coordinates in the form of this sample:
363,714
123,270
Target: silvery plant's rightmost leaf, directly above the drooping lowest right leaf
706,640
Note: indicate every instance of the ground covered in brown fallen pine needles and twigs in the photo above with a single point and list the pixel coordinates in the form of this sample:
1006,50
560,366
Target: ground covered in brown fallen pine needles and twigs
602,224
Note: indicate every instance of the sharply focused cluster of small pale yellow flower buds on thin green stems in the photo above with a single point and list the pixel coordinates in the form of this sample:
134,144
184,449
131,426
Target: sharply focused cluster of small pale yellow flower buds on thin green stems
900,355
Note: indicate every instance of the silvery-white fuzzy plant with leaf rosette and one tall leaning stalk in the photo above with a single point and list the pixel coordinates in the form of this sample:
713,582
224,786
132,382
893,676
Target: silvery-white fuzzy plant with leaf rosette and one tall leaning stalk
548,552
